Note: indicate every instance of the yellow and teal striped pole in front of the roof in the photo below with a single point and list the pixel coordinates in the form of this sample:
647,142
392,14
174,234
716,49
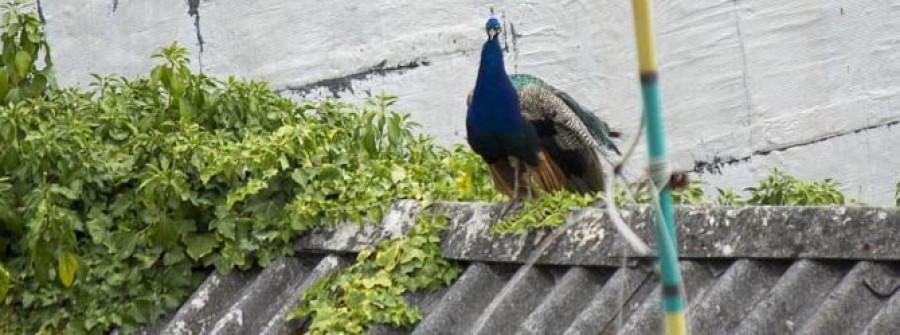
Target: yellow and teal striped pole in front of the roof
673,297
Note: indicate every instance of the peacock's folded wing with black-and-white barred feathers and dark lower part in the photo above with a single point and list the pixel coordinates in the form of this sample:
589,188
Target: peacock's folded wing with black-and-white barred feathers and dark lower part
564,135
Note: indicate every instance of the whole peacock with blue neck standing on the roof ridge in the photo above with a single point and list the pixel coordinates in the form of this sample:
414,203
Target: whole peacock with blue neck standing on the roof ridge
535,138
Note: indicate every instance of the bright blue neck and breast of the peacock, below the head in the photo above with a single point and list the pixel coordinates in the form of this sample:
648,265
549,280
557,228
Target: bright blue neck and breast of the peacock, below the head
495,102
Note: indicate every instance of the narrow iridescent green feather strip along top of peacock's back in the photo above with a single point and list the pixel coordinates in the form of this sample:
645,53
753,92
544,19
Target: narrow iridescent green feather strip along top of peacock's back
597,128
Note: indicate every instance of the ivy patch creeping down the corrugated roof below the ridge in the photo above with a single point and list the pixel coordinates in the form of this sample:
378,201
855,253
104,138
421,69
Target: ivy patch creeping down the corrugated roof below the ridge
371,290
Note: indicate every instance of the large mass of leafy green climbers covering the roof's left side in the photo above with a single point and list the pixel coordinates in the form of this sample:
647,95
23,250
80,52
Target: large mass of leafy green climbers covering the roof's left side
118,199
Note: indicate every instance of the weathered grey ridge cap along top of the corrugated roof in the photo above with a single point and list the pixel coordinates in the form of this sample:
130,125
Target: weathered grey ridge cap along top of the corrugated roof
588,239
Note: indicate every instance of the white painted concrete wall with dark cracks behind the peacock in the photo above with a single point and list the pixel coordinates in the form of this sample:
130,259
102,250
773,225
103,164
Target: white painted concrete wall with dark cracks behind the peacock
809,86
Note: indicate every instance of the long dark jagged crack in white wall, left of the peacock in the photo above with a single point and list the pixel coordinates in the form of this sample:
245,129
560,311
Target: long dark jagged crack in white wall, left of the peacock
345,83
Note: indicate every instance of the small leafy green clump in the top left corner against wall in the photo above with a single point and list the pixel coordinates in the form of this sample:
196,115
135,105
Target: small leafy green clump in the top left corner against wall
23,47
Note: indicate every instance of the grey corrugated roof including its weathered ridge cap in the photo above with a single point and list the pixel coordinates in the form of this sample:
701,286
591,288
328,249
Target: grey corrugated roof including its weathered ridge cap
799,283
